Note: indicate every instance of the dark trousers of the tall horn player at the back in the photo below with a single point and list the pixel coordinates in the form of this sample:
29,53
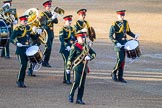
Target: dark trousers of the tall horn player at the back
48,47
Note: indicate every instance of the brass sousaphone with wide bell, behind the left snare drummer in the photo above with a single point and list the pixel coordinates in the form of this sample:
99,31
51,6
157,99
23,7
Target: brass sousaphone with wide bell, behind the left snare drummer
33,20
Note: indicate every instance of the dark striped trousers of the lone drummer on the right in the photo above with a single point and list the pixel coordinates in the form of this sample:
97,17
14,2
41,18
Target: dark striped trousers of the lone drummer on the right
119,67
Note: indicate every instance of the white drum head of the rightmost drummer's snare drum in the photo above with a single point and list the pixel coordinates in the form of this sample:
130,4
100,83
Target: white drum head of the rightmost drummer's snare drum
130,45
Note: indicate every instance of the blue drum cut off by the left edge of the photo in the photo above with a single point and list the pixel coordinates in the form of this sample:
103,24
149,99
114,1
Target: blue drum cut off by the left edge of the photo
4,34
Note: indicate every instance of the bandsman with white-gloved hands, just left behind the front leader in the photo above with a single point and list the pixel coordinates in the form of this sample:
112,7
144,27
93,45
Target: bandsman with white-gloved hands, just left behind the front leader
67,38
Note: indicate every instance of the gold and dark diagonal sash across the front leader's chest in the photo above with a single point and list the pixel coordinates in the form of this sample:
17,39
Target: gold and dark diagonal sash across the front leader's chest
81,57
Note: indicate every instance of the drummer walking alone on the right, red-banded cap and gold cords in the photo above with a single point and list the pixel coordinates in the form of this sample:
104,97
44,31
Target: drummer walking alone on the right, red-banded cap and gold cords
120,28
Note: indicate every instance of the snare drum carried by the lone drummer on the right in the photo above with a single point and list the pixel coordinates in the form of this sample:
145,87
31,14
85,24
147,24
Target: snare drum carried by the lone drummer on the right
132,49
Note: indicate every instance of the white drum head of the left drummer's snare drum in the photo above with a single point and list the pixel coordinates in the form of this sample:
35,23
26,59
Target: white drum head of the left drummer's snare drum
32,50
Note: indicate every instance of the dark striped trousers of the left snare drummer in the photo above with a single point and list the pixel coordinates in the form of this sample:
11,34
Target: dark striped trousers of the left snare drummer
23,61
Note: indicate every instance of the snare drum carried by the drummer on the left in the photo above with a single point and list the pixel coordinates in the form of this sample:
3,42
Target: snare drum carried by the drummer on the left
34,54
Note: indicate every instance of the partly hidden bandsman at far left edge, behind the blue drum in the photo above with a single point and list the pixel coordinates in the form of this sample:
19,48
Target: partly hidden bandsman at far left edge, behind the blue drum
6,51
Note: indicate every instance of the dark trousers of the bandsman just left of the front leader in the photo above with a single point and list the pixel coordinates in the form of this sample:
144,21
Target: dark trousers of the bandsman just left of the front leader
65,58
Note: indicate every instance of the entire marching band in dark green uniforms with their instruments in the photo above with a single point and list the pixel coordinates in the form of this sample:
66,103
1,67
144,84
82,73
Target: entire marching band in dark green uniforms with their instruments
76,41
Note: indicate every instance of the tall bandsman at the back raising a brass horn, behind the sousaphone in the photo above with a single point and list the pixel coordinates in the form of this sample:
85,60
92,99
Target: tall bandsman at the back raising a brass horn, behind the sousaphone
50,19
